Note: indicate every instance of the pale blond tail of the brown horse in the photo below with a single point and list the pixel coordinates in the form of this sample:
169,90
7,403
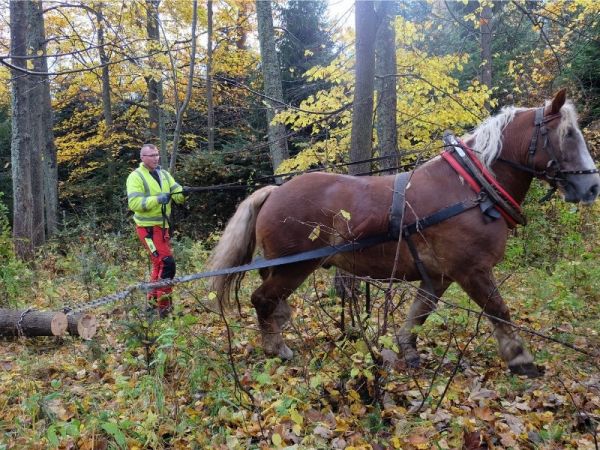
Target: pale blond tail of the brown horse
236,245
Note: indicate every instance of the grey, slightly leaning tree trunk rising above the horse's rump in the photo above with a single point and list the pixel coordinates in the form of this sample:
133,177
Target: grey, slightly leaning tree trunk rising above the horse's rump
272,81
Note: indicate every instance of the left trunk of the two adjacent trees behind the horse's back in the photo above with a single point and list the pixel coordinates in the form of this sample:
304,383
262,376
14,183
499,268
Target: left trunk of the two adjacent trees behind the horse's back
362,116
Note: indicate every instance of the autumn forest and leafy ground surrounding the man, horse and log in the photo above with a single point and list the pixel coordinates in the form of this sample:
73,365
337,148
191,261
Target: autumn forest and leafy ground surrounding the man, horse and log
95,80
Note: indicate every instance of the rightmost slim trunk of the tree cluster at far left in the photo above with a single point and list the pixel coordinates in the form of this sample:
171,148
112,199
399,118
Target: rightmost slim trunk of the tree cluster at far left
44,104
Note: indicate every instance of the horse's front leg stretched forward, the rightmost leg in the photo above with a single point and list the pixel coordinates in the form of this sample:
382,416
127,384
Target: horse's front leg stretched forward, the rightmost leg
482,288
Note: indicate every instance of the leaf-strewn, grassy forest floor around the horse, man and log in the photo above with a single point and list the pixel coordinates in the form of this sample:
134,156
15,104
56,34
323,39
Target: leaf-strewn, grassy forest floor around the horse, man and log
201,380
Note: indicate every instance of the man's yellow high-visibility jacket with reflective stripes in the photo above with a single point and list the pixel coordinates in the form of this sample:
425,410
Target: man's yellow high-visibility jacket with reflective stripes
142,190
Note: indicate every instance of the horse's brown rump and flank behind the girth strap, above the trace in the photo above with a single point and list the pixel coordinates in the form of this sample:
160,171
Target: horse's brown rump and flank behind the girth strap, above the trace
317,209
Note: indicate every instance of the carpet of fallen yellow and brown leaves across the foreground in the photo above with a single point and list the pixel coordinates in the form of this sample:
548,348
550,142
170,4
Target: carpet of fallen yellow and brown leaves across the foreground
337,392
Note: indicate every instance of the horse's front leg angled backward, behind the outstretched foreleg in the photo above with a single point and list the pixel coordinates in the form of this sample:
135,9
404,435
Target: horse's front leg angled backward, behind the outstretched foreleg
424,304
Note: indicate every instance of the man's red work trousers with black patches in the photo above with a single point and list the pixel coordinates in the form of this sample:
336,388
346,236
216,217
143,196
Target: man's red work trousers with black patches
158,245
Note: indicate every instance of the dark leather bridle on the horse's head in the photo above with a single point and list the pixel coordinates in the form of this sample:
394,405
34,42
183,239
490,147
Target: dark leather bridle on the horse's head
553,172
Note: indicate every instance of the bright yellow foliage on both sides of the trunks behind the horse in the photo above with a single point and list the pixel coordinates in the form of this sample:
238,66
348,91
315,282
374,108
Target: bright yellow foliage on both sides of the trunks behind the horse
430,100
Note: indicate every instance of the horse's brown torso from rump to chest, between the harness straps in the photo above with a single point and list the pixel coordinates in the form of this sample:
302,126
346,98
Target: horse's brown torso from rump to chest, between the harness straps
319,209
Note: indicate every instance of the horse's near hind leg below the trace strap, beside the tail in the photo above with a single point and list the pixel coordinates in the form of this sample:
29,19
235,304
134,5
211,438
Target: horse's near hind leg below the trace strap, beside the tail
271,306
